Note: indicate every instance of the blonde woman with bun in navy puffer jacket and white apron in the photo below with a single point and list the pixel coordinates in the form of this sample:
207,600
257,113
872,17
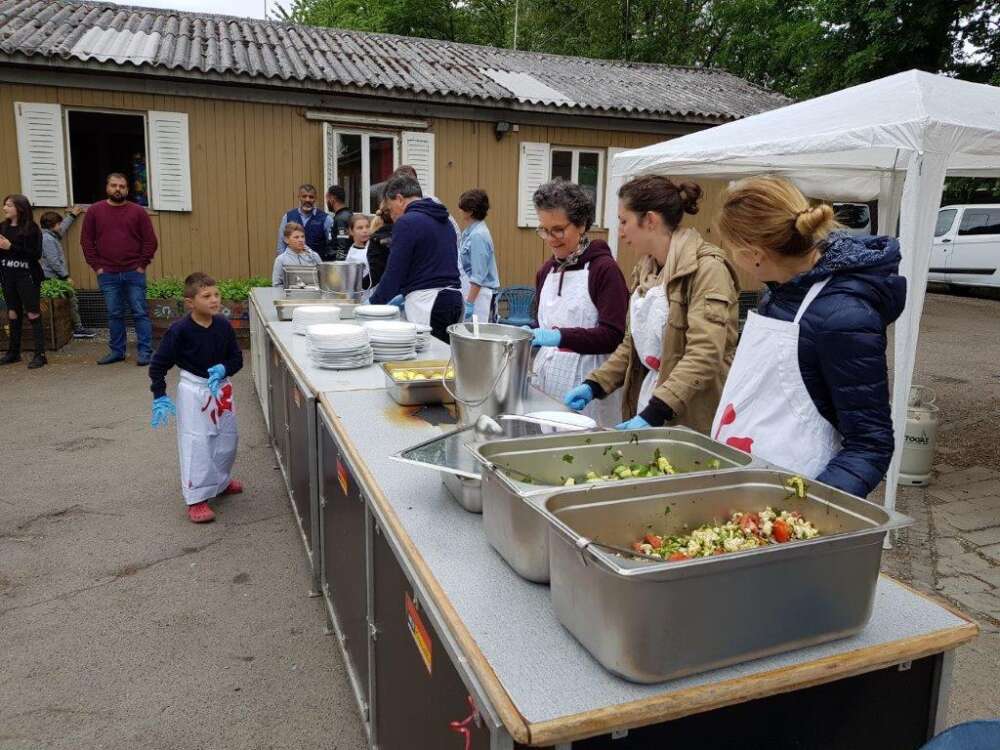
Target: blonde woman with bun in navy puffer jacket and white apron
808,390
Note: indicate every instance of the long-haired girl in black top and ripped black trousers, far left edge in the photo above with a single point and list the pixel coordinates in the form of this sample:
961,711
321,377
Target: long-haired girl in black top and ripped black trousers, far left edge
21,277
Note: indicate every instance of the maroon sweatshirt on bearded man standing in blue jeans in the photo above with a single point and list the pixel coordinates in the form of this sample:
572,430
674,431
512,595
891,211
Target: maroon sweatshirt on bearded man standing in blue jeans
117,238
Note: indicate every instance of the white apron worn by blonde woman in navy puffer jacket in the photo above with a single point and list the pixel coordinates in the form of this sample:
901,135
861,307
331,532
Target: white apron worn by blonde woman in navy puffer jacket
765,408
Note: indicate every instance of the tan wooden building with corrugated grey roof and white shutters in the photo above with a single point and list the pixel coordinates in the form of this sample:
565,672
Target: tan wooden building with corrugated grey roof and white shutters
218,120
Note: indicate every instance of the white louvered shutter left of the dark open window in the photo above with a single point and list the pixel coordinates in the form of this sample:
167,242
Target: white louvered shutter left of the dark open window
42,153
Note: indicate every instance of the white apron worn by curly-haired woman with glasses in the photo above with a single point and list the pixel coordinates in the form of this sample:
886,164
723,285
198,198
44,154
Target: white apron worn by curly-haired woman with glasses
557,370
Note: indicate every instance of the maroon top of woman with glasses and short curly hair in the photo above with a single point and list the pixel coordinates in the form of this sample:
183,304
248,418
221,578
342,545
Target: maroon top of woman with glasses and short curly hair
610,296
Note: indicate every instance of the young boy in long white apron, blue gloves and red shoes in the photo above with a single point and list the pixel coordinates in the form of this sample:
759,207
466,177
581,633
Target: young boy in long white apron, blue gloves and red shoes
203,345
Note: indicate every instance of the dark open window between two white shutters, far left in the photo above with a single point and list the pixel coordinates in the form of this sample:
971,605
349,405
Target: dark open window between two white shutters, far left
101,143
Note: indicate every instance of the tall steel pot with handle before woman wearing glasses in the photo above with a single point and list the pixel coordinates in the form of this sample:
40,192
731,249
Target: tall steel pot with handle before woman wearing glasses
491,369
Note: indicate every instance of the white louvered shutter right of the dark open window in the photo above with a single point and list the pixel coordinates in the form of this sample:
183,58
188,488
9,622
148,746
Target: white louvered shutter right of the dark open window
170,161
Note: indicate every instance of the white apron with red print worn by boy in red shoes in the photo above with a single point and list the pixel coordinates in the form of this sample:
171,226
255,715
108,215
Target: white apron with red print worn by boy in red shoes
206,437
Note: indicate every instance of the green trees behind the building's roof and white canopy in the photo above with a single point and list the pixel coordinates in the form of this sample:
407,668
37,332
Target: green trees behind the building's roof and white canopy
802,48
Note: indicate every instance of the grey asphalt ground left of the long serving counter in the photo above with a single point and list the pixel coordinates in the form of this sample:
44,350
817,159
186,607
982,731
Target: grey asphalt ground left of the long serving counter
122,624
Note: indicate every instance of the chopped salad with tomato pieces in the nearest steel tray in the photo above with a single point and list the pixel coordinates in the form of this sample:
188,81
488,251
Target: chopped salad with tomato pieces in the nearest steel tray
743,531
